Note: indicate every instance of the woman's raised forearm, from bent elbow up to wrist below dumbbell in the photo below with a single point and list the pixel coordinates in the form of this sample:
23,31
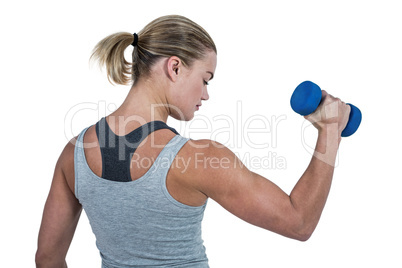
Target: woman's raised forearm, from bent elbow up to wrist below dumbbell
311,191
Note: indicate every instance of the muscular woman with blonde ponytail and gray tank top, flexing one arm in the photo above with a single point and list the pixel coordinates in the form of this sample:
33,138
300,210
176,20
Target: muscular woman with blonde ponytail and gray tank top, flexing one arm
150,214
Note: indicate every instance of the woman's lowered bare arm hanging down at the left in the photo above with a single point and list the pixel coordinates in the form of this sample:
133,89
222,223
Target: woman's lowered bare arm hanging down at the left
61,213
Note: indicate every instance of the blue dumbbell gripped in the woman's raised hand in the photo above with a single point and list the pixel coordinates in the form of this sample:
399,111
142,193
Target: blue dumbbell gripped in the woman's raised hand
306,98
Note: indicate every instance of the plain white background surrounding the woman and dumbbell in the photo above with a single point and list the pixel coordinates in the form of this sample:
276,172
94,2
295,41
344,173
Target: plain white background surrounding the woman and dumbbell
265,49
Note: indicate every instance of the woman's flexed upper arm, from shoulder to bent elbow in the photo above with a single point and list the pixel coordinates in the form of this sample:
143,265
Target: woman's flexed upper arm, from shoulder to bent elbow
218,173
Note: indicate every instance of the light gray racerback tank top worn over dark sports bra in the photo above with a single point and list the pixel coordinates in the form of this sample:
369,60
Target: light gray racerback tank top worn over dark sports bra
138,223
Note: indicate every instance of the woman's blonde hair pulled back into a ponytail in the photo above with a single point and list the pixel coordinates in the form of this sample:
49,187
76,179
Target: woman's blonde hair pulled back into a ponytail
166,36
